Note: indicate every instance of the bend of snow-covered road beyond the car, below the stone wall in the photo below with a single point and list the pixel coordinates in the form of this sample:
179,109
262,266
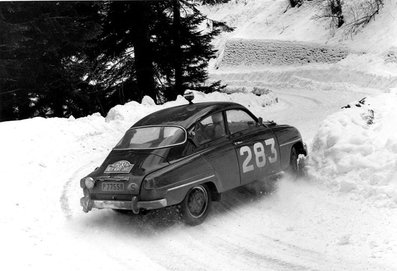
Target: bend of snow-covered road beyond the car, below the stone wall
306,95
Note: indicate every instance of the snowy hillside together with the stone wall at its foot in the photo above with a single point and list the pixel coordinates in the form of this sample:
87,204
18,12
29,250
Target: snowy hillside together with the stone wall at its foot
269,32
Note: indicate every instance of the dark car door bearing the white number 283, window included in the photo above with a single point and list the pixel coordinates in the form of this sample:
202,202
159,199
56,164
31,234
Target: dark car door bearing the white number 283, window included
255,145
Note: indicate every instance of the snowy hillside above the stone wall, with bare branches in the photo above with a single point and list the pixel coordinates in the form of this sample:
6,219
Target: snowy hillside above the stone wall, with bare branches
274,20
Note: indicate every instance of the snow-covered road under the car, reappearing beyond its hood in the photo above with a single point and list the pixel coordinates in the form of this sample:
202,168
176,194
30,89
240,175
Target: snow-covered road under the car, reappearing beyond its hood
298,226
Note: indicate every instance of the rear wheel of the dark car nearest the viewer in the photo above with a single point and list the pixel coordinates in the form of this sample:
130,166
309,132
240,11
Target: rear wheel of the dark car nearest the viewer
196,205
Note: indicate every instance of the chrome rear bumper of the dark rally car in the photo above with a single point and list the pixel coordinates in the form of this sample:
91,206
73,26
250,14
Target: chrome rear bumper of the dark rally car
88,204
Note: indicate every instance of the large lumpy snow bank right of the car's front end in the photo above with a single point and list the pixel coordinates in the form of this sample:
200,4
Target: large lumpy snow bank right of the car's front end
355,150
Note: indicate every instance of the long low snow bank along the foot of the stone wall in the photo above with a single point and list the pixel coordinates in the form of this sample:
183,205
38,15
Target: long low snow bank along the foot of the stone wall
346,75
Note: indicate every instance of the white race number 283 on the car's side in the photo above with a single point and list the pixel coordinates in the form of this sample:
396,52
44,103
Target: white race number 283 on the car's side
258,154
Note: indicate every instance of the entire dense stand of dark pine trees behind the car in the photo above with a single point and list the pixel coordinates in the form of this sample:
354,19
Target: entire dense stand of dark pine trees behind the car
75,58
